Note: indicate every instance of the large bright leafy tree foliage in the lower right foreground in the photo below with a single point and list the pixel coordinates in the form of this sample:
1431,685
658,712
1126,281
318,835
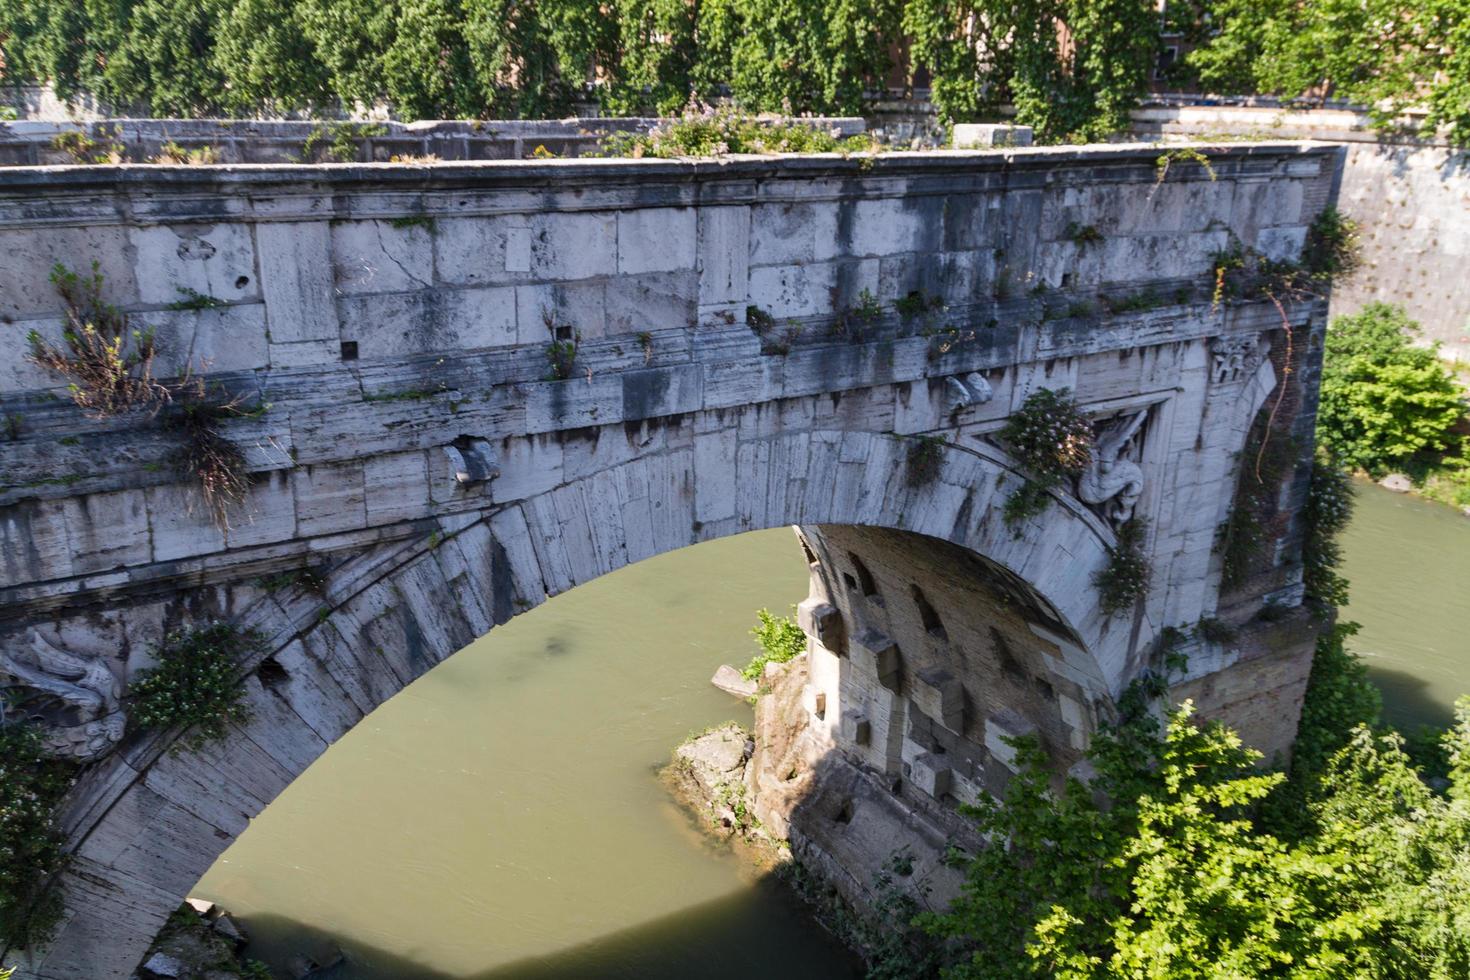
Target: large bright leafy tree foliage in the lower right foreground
1159,868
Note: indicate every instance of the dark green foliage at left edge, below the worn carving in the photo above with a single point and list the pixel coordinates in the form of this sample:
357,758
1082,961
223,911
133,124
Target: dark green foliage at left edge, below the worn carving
32,787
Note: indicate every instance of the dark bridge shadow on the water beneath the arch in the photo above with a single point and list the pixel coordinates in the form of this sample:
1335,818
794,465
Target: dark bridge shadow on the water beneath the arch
727,940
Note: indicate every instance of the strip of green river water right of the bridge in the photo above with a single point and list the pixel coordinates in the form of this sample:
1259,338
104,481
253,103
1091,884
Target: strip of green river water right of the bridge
1409,566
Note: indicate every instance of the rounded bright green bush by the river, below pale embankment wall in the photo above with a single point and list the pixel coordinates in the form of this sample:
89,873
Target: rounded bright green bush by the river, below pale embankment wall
1385,403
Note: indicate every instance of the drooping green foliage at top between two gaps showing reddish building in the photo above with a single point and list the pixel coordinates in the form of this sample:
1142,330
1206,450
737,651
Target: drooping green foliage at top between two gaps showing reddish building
990,54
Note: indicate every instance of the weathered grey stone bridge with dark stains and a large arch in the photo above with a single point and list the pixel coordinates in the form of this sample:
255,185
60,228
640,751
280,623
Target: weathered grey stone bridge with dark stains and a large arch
740,365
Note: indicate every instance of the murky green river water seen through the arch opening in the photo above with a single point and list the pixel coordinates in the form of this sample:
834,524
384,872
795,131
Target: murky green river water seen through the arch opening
502,816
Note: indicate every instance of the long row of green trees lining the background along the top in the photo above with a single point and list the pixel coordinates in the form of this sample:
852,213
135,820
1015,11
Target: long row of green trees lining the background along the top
983,60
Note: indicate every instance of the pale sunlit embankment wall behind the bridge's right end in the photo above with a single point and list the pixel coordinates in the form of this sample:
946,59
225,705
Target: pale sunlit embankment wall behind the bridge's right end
1412,199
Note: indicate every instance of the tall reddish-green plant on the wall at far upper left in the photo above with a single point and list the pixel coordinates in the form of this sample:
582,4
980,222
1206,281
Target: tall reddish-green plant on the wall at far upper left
108,364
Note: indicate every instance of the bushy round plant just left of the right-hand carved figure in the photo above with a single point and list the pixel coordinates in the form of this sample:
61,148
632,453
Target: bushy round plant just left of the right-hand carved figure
1052,442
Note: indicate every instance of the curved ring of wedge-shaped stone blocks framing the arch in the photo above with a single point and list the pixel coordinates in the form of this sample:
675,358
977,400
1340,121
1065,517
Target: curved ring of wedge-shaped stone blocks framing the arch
149,822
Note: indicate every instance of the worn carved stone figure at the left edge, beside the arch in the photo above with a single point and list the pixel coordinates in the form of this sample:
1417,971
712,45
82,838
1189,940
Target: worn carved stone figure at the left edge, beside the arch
74,697
